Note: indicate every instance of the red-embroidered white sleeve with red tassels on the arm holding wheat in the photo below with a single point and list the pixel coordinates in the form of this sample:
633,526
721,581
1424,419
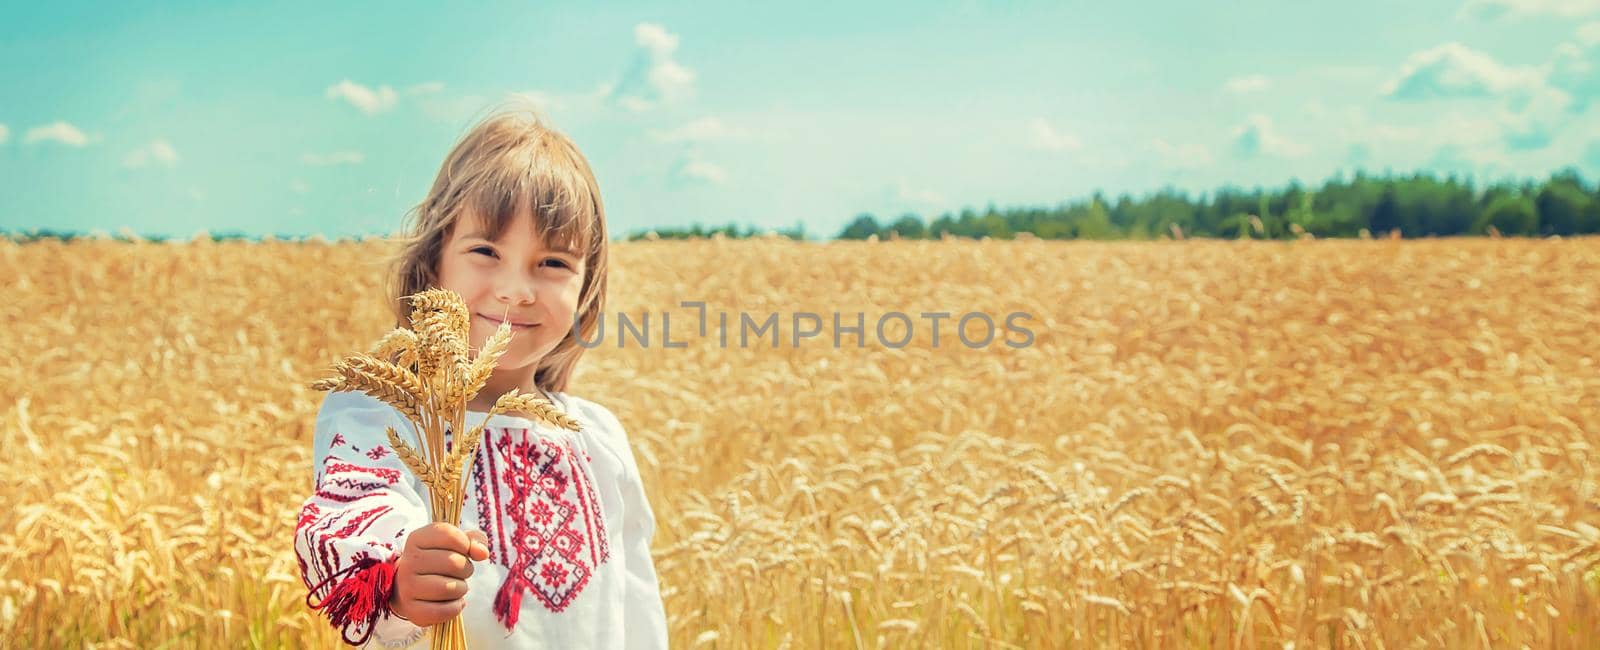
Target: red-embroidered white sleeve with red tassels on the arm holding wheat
356,521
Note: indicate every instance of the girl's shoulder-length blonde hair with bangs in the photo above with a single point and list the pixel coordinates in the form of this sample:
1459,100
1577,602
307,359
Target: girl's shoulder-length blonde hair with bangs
513,161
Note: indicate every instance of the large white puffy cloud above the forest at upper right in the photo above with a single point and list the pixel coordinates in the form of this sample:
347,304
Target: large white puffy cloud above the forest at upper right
1458,71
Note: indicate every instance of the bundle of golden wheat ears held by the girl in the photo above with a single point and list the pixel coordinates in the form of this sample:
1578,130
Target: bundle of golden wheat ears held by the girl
426,375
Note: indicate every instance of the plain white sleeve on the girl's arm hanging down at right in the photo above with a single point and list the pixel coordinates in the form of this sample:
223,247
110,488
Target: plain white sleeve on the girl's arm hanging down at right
647,619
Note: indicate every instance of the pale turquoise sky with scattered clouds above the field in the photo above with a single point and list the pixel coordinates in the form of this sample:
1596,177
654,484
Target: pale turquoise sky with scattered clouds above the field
295,119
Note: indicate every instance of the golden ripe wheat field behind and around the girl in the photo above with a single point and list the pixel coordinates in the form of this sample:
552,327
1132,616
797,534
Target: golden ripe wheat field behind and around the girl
1207,444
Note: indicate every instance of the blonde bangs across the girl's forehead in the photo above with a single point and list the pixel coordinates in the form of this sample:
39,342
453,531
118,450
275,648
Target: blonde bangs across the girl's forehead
545,180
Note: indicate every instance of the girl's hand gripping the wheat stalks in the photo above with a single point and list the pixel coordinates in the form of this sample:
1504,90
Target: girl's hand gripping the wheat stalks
431,576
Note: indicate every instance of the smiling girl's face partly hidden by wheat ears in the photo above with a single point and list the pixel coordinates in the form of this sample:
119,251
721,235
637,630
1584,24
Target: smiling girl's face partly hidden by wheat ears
516,279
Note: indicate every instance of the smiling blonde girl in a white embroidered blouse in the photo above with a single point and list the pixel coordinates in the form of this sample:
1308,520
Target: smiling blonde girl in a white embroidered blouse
554,539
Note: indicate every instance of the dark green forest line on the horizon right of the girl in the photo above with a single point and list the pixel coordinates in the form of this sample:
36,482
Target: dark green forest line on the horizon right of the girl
1418,206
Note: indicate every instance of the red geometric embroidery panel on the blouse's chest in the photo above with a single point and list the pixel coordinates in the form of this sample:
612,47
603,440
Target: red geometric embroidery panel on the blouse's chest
548,531
